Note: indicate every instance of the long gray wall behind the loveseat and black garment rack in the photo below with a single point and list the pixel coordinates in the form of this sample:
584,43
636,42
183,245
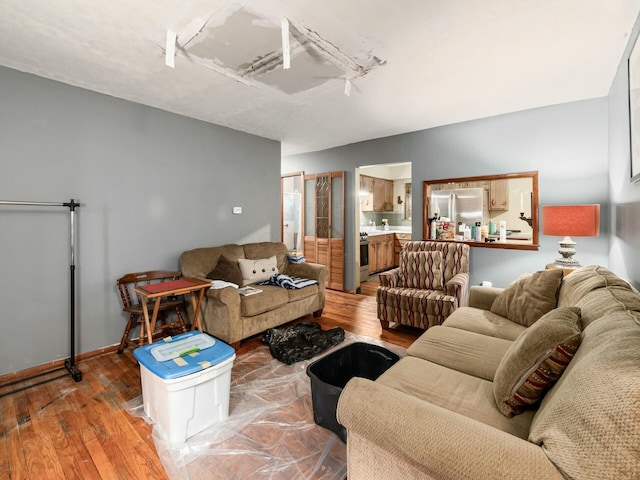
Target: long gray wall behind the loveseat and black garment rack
151,185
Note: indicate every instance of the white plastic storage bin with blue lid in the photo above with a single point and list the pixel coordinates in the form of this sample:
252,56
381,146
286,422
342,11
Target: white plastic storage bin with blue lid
185,395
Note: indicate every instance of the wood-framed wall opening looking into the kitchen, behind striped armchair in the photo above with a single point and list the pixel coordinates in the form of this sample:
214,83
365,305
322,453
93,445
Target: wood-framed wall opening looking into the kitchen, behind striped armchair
493,211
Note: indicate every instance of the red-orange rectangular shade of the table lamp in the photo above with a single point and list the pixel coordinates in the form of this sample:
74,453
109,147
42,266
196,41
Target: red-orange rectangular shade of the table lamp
571,220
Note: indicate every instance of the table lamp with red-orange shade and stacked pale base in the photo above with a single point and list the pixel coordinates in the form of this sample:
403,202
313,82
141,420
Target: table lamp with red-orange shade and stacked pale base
570,221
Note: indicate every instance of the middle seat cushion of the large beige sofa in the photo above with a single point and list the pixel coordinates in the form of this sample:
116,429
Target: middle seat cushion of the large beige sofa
468,352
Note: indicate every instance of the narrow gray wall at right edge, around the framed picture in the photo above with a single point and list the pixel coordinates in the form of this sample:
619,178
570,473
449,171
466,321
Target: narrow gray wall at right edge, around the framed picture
624,245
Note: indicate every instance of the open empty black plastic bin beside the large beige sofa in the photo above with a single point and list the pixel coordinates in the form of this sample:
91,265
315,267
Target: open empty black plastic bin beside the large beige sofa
331,373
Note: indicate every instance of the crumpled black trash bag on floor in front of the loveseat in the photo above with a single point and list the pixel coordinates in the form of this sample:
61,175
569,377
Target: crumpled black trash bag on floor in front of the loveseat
301,342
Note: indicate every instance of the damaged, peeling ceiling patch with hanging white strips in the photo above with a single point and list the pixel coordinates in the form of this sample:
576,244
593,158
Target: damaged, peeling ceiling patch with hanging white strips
254,49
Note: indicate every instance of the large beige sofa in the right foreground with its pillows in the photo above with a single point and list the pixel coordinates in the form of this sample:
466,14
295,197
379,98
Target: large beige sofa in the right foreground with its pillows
437,412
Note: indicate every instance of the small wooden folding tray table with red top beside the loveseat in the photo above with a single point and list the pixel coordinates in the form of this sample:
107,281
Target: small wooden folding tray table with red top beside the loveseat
156,291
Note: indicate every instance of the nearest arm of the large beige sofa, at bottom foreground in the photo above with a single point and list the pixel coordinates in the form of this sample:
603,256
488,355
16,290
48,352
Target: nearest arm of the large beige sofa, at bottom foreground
436,441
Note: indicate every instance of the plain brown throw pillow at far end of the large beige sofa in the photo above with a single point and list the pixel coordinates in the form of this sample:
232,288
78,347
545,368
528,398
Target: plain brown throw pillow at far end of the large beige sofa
529,297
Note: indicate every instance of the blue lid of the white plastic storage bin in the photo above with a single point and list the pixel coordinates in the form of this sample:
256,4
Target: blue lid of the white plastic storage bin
187,364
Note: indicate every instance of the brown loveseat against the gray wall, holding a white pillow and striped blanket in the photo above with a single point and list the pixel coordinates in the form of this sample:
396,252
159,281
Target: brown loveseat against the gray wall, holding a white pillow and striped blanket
232,317
